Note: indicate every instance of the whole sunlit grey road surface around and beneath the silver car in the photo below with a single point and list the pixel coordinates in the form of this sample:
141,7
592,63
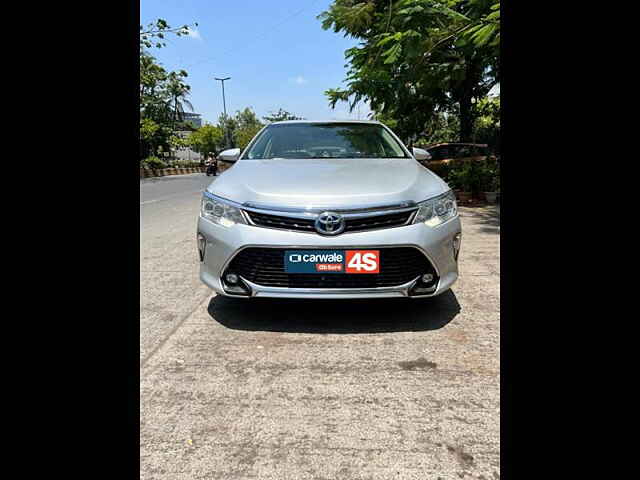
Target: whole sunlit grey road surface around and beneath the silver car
313,389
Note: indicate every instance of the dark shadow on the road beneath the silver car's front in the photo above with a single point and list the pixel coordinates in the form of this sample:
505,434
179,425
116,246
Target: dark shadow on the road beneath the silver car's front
335,316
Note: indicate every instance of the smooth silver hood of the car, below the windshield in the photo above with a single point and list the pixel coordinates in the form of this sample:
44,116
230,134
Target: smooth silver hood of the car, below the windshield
327,182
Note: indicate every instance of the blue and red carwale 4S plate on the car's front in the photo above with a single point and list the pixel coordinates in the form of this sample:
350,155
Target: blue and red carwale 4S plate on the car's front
332,261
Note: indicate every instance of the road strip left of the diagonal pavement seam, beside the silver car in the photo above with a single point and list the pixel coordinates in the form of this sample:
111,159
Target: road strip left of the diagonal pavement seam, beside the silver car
169,286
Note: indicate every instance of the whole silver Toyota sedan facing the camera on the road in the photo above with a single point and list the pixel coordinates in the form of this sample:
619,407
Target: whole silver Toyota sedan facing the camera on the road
337,209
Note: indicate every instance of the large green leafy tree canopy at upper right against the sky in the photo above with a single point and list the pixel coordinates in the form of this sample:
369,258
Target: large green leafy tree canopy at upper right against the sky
417,58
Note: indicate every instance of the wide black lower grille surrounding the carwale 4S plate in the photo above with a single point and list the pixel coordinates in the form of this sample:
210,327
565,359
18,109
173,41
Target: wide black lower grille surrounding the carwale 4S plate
265,266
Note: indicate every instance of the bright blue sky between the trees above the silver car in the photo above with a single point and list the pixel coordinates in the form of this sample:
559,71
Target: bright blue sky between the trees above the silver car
276,53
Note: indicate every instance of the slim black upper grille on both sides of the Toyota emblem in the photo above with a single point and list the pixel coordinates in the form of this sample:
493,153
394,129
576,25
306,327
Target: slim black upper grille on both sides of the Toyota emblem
360,224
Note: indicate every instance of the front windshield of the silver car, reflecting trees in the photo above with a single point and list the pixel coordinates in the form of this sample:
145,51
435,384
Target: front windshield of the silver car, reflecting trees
325,140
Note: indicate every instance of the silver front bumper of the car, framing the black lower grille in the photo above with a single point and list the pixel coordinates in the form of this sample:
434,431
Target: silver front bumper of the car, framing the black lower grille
223,243
